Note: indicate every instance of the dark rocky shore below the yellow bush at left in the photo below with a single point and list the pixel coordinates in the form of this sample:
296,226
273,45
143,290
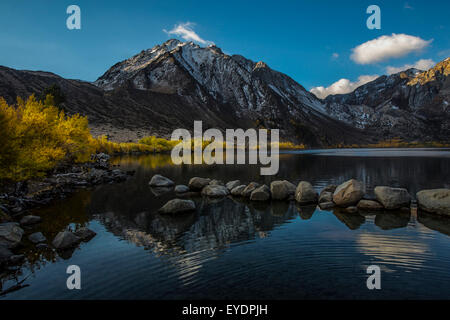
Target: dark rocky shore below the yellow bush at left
16,224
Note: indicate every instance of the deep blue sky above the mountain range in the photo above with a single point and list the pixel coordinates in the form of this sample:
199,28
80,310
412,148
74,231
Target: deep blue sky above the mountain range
311,41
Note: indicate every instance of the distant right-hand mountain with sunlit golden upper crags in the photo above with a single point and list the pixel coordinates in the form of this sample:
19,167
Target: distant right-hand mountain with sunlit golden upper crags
411,105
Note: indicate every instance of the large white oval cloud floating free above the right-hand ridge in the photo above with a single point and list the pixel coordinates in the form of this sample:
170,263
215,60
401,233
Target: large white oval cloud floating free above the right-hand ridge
385,47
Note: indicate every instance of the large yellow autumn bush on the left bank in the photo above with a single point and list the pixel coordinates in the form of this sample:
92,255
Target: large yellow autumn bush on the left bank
37,136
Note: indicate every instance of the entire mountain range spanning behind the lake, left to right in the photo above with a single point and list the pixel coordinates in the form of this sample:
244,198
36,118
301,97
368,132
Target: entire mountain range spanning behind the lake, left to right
172,84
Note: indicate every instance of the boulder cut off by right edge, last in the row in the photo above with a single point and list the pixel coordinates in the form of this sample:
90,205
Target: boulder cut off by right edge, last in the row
435,201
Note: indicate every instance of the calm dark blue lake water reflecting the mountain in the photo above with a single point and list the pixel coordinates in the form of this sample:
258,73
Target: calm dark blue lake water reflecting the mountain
240,250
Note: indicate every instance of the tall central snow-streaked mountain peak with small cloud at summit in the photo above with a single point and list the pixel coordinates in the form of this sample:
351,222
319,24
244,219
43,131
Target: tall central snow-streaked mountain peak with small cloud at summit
226,92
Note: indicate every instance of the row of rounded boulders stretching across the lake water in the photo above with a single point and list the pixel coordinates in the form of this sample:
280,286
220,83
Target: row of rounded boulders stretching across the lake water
349,195
